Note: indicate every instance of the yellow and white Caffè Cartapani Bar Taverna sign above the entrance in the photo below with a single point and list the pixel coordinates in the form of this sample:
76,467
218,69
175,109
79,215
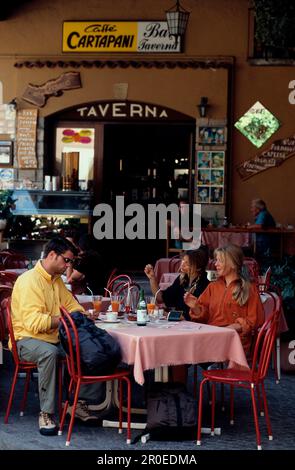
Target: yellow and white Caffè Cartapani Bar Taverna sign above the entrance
118,36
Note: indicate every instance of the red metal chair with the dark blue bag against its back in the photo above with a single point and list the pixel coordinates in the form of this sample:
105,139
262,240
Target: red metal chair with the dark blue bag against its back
77,379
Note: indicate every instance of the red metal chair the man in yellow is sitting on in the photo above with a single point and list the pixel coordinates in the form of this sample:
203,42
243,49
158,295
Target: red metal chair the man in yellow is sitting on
26,367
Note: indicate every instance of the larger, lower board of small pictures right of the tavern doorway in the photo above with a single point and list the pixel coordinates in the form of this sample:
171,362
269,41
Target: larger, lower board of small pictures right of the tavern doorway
210,171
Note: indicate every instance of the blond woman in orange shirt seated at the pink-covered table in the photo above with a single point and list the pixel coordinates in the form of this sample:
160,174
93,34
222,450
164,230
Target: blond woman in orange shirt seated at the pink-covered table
232,300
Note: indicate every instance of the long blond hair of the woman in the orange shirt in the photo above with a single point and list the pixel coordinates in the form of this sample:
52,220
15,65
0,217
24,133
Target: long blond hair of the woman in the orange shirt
234,257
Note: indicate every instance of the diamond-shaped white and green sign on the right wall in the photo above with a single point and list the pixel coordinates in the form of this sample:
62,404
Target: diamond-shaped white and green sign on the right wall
258,124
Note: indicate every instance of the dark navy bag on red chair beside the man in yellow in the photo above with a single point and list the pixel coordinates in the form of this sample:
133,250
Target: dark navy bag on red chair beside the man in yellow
100,352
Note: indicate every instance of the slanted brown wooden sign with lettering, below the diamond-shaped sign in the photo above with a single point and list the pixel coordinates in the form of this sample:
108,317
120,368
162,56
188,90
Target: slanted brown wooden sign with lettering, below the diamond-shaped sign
275,155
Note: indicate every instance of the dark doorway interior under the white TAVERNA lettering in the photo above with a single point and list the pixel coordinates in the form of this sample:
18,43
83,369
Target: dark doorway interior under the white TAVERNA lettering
146,163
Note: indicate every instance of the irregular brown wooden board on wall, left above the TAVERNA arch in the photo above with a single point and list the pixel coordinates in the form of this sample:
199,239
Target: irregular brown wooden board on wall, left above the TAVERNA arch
39,94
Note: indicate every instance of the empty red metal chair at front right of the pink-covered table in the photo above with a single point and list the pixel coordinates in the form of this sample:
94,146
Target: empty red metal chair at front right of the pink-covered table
252,379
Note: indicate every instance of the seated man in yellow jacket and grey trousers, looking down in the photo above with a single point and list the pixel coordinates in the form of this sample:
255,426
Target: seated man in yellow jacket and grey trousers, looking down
36,299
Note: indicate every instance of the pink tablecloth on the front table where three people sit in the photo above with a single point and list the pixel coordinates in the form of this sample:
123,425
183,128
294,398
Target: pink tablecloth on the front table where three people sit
167,343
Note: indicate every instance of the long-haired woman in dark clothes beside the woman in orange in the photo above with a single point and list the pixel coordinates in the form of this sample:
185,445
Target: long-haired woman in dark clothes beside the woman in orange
192,278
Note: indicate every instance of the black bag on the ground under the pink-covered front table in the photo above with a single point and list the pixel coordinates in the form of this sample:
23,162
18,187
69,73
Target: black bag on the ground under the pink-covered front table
171,412
